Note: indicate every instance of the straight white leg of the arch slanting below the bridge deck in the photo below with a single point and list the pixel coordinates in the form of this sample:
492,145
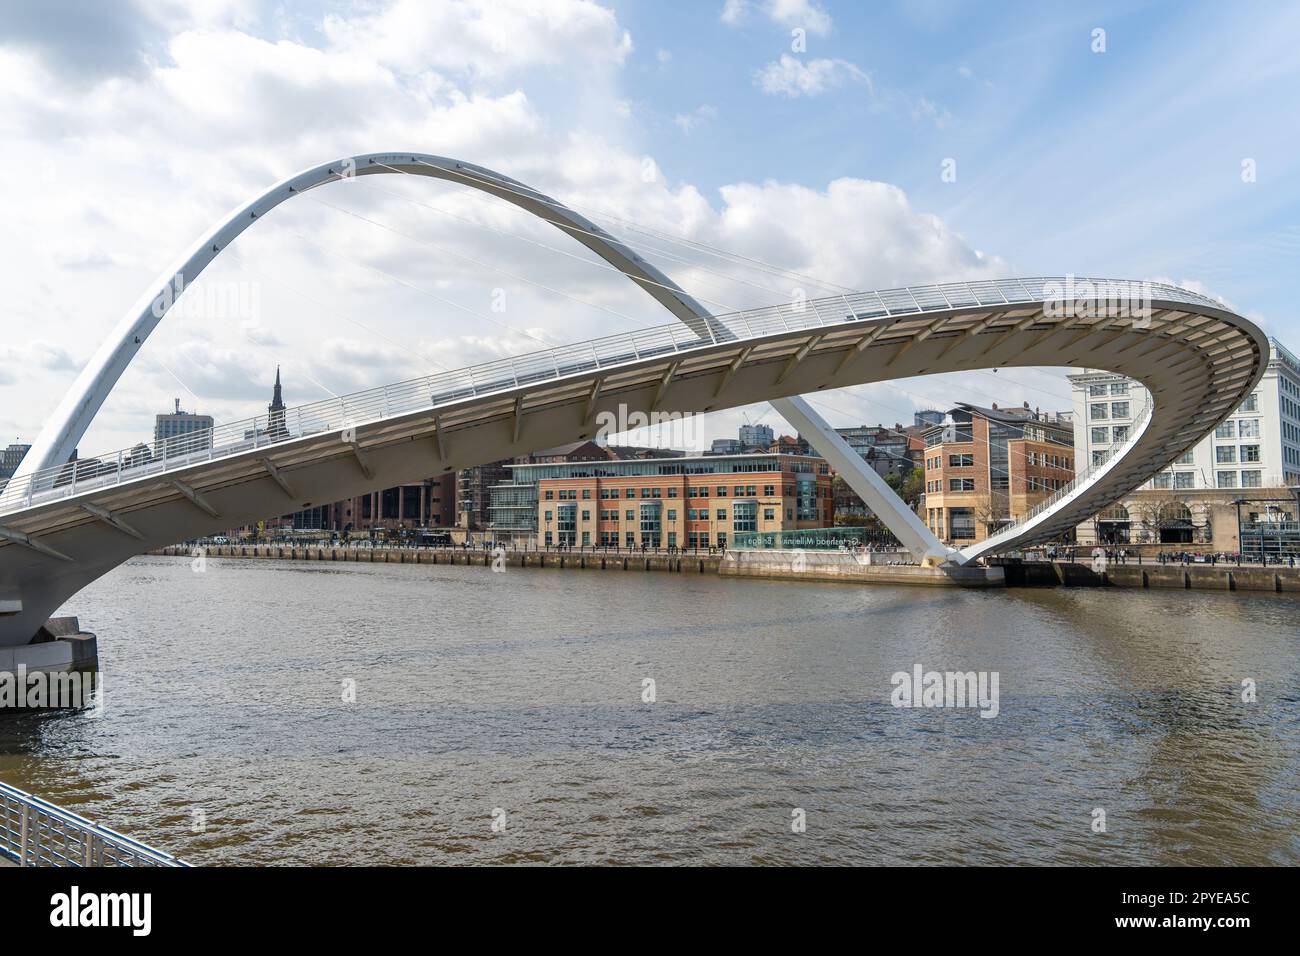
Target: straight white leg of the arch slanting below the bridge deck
868,485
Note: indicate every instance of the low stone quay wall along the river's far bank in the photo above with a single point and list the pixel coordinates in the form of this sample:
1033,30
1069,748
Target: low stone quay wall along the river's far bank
779,565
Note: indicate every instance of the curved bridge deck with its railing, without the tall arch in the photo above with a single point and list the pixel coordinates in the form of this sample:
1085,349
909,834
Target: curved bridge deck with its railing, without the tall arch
63,527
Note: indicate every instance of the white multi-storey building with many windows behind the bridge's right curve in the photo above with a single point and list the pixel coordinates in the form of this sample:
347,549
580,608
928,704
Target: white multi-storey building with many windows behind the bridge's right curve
1254,456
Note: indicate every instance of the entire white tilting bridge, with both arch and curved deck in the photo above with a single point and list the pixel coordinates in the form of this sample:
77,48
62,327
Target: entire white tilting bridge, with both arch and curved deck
62,527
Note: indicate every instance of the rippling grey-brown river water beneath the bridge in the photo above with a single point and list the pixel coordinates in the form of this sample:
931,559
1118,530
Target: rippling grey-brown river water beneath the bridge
519,699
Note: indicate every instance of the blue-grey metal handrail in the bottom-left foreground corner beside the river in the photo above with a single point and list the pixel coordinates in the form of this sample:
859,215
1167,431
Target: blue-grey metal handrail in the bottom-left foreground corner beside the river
36,833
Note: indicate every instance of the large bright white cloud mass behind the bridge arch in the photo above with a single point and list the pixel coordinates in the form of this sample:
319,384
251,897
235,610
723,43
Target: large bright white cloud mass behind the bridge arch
220,114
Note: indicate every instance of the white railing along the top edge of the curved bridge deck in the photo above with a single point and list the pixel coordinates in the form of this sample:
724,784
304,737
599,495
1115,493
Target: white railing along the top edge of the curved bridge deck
378,404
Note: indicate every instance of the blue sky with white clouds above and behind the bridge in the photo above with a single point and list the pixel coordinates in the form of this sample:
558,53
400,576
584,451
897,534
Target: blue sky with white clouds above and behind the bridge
807,135
